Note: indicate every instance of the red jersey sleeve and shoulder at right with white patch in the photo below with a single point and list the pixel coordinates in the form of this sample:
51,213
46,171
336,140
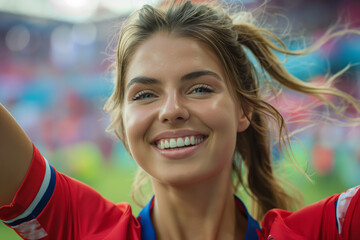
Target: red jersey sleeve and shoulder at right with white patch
336,217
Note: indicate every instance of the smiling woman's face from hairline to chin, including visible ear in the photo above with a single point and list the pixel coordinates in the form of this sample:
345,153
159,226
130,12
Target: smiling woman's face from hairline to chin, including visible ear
180,120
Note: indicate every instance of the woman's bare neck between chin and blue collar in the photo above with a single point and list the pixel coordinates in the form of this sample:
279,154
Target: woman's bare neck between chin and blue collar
204,210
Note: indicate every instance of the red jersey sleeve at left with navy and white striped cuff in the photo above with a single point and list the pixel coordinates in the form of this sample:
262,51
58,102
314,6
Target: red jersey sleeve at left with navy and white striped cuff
51,205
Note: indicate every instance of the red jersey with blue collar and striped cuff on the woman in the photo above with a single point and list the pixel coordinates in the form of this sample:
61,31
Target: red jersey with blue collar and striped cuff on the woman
51,205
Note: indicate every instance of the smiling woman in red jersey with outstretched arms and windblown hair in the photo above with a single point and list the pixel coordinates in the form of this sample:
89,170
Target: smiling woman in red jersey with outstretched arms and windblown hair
188,108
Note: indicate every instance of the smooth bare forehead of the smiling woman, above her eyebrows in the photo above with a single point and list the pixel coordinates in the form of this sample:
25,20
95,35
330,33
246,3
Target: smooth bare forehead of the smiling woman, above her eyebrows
166,55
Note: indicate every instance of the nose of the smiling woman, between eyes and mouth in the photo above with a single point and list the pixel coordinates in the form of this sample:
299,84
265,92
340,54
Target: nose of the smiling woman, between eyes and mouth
173,110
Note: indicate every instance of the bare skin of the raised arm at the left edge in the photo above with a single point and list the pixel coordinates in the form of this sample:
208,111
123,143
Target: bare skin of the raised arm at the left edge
15,156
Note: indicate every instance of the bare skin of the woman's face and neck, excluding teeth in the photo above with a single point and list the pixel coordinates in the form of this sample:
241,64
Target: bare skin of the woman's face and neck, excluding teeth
164,98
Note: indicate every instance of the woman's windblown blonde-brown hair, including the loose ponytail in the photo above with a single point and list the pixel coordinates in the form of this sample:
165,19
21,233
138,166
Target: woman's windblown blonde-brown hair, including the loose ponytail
229,38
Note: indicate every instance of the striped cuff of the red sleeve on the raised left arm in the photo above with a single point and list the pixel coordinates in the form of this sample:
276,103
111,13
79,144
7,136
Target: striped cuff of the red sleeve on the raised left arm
30,200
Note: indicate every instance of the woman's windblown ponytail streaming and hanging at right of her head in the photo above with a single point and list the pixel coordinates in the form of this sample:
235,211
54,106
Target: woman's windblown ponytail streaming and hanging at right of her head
253,145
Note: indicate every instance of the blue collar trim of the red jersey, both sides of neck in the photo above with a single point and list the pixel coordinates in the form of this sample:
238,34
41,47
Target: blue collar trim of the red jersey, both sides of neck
148,232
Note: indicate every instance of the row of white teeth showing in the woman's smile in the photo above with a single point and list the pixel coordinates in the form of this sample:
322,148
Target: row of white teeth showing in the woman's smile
181,142
